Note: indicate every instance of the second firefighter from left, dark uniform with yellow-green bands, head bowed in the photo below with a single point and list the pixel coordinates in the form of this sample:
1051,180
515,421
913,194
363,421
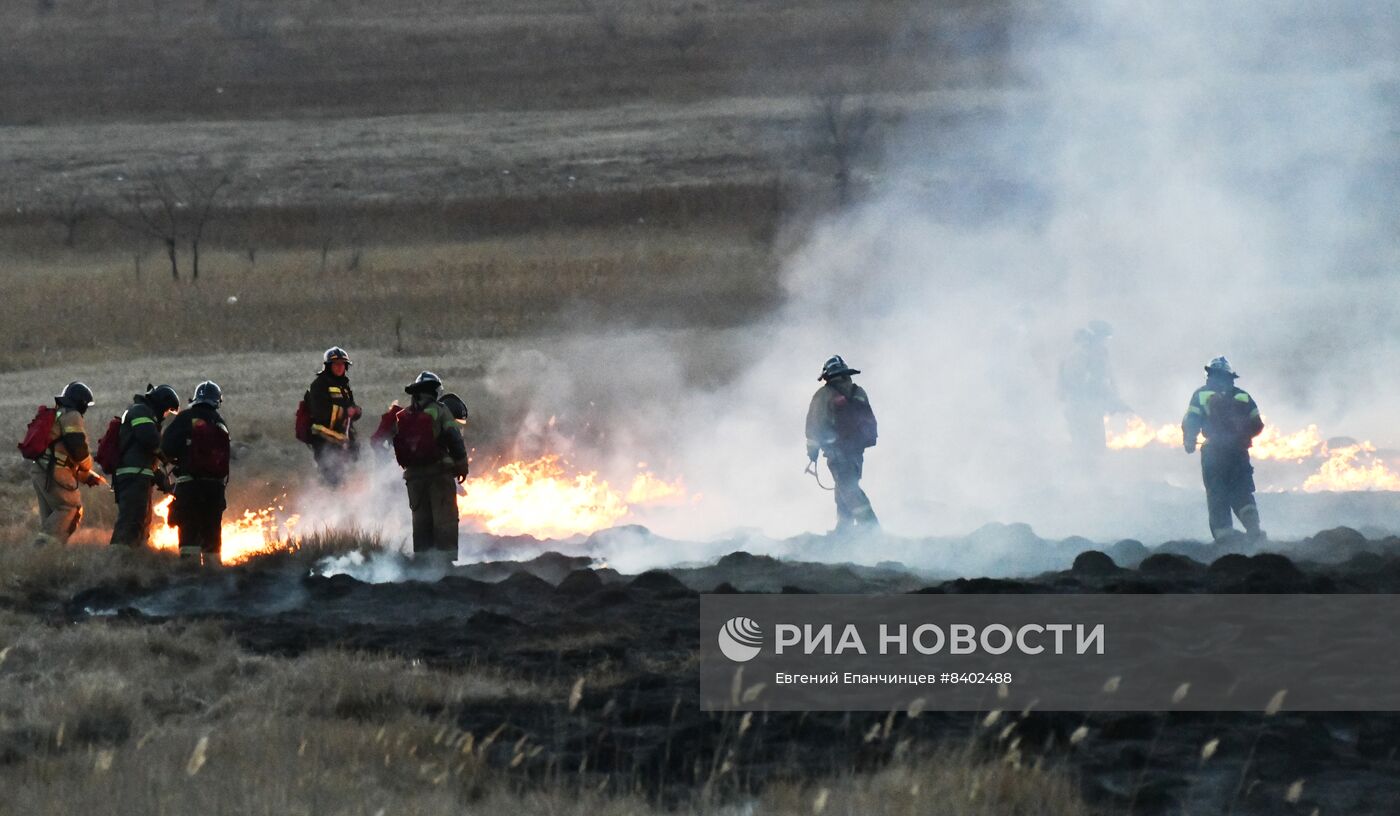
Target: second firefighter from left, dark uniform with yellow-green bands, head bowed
141,468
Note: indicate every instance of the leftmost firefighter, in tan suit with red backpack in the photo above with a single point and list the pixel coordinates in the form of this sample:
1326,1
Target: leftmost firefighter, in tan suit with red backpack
64,465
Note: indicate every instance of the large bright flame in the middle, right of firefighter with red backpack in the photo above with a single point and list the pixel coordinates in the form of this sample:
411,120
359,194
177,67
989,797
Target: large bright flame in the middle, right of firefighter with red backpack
540,499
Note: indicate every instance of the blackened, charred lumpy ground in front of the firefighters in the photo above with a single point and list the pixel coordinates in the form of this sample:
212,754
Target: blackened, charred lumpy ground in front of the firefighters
555,618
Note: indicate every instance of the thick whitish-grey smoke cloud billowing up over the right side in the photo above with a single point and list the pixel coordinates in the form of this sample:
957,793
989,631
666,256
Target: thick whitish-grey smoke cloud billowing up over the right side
1209,180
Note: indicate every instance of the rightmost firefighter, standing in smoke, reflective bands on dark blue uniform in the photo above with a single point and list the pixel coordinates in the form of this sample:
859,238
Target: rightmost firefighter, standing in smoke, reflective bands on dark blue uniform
1230,419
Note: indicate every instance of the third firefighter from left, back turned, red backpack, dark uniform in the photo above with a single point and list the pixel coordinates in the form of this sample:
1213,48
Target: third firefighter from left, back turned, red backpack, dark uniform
197,444
